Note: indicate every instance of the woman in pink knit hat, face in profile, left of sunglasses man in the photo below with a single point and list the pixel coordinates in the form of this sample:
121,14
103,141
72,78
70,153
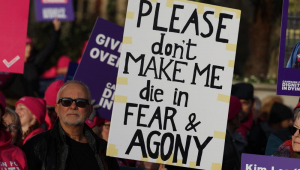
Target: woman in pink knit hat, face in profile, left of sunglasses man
32,113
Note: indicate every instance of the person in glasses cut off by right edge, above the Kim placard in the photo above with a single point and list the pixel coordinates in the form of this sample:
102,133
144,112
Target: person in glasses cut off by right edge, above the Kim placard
291,147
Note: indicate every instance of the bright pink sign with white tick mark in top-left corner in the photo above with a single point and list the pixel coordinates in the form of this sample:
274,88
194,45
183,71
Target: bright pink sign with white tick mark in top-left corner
14,19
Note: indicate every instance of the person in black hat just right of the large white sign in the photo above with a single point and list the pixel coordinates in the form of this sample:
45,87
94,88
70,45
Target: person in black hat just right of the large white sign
245,92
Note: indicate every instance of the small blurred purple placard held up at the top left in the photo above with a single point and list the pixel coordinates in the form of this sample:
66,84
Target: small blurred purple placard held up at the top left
47,10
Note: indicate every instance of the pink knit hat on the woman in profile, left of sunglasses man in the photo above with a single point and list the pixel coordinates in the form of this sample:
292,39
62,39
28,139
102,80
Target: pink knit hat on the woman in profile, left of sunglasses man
37,107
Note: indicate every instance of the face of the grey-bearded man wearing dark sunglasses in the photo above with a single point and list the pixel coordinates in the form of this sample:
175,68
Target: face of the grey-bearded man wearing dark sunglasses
73,115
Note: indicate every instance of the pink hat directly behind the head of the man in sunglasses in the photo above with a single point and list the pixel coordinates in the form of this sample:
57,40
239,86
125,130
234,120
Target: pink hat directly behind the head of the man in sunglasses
51,92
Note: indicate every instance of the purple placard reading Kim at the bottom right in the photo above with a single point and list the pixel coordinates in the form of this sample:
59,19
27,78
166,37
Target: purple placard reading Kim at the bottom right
261,162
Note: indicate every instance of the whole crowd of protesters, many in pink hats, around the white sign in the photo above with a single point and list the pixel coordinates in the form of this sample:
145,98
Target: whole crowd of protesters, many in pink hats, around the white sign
59,131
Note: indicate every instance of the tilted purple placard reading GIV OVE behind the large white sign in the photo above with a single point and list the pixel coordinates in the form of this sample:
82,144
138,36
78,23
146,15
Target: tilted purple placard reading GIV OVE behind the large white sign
99,65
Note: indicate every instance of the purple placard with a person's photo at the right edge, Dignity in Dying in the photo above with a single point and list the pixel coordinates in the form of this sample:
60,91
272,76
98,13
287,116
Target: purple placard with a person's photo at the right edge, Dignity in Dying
288,82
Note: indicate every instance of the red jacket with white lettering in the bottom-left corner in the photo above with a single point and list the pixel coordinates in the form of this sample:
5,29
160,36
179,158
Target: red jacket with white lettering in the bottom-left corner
11,156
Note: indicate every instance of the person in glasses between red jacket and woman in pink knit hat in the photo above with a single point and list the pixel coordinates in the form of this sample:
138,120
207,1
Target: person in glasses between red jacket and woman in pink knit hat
12,123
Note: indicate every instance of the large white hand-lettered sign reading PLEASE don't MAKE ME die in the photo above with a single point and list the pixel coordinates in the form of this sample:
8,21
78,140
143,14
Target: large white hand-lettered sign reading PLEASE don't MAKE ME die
174,83
